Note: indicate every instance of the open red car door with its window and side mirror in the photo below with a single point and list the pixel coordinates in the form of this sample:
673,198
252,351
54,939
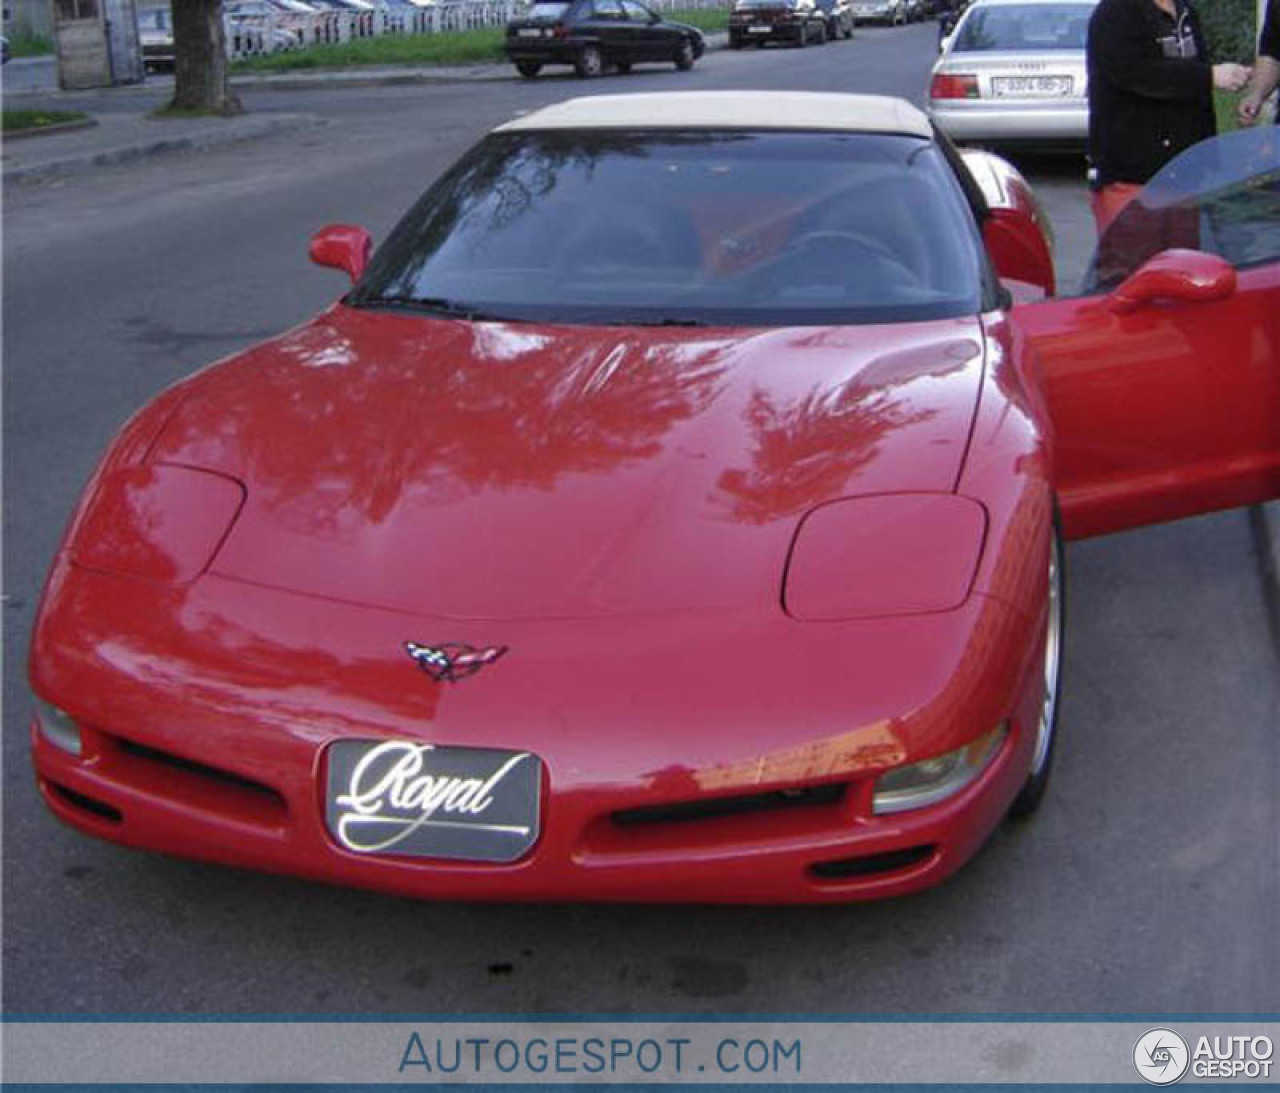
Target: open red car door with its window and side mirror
1163,379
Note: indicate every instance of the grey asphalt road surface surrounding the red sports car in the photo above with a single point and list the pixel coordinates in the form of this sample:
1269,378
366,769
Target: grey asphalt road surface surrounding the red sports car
1149,882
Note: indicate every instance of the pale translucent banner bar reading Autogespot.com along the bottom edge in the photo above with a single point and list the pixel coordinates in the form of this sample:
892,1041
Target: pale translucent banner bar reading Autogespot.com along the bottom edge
648,1051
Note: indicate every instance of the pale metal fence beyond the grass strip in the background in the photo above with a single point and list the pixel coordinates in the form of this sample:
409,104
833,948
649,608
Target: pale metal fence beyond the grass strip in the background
250,33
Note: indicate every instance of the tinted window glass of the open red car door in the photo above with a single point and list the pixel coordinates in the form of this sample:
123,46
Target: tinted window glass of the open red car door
1222,196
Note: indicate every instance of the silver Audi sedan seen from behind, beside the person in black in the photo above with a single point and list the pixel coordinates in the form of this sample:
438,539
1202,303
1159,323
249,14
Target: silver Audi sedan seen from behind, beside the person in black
1014,71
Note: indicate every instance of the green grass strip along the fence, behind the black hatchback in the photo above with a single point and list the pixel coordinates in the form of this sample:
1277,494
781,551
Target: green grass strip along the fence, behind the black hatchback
447,48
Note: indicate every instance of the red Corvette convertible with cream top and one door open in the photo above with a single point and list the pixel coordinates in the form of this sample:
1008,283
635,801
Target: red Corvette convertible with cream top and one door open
671,511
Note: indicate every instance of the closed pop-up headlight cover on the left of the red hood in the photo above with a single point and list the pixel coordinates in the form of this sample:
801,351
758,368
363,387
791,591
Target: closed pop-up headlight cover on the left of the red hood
163,524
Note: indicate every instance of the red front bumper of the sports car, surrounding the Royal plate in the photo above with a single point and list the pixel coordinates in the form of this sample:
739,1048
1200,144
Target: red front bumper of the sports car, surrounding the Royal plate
207,717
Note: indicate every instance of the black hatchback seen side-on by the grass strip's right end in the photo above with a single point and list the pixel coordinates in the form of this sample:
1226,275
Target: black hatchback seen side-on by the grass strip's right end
595,34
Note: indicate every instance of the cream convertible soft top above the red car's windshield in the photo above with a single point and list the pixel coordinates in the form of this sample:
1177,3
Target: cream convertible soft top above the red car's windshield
730,111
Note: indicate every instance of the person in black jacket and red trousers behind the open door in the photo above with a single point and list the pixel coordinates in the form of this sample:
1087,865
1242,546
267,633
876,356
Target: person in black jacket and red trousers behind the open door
1151,94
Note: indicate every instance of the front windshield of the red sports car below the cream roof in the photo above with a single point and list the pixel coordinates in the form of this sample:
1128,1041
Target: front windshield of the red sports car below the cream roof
723,228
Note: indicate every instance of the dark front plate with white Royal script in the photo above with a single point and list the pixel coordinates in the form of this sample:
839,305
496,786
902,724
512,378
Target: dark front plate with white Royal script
417,801
